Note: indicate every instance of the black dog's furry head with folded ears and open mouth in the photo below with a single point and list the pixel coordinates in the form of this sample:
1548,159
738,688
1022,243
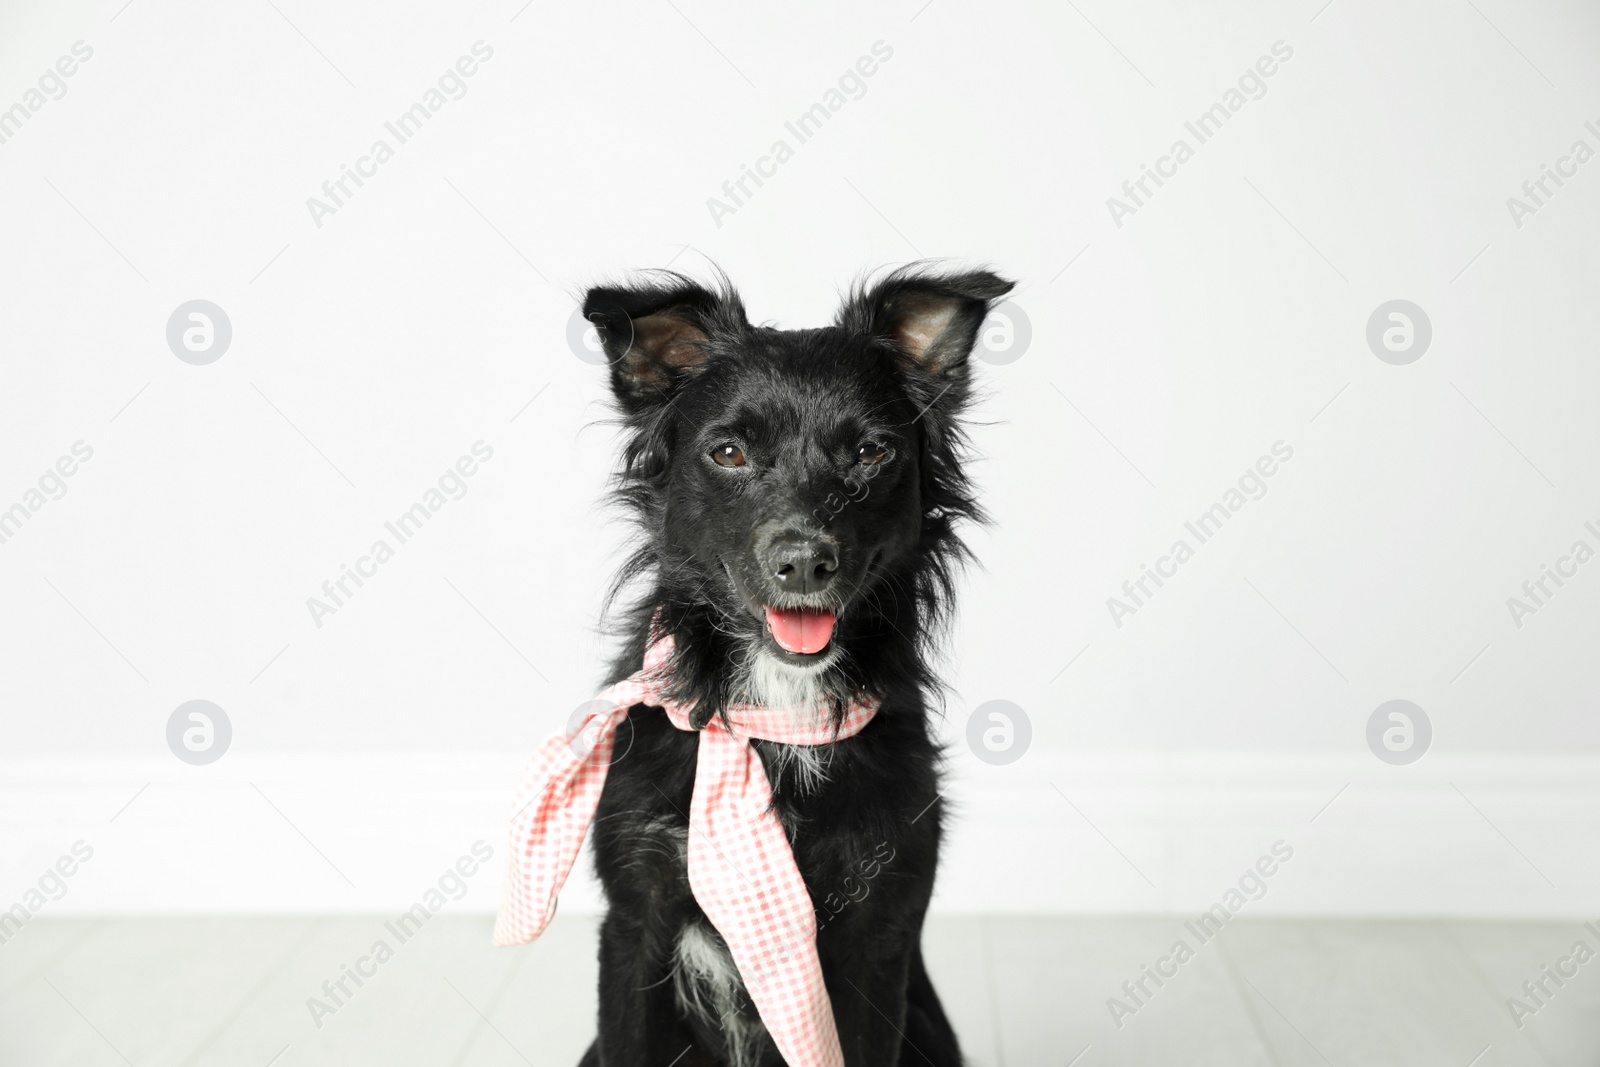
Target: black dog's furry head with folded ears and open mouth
798,487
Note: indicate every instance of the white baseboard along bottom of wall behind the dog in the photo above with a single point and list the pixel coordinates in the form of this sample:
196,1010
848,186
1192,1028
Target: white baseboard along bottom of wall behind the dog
1111,833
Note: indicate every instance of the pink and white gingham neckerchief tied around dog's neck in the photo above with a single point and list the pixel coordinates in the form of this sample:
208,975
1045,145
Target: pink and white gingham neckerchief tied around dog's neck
742,869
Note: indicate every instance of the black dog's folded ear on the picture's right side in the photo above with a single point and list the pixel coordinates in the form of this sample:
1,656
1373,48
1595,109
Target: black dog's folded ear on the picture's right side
932,318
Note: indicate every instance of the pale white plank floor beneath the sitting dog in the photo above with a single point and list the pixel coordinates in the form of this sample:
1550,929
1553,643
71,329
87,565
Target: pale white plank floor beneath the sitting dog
1022,991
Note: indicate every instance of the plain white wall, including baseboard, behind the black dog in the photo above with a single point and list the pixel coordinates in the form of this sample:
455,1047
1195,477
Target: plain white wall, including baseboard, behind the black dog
1167,356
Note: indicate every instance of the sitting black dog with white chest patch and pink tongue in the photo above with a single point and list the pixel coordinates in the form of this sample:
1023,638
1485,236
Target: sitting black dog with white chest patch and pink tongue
799,494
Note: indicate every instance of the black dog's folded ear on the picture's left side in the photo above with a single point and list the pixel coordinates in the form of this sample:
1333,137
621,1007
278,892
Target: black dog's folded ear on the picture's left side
655,338
